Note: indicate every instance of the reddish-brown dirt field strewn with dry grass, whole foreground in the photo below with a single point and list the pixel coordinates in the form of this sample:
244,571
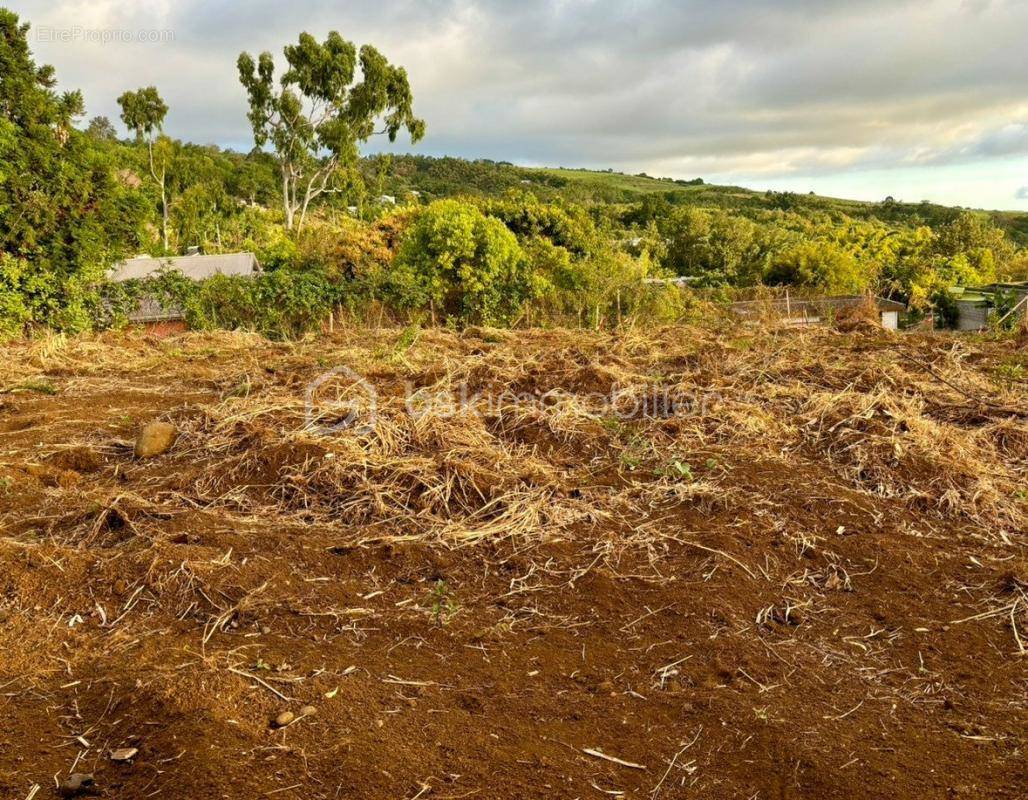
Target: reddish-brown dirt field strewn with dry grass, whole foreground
776,565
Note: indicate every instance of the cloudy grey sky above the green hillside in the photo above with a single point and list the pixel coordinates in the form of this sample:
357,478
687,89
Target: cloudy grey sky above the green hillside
864,99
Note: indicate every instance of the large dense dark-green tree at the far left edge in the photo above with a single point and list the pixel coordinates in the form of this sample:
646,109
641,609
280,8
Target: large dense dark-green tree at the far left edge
63,217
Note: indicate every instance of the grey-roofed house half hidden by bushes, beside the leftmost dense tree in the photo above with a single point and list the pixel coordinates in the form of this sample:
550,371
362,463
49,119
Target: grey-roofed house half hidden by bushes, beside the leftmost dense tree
195,267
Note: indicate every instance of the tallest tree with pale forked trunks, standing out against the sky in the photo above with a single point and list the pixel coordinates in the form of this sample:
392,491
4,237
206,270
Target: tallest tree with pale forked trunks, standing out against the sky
317,117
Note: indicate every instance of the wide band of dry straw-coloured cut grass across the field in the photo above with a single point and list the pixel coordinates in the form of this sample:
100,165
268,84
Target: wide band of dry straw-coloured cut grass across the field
563,428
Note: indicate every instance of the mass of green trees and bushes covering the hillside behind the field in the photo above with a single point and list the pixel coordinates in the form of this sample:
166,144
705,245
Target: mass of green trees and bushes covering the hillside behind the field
413,237
